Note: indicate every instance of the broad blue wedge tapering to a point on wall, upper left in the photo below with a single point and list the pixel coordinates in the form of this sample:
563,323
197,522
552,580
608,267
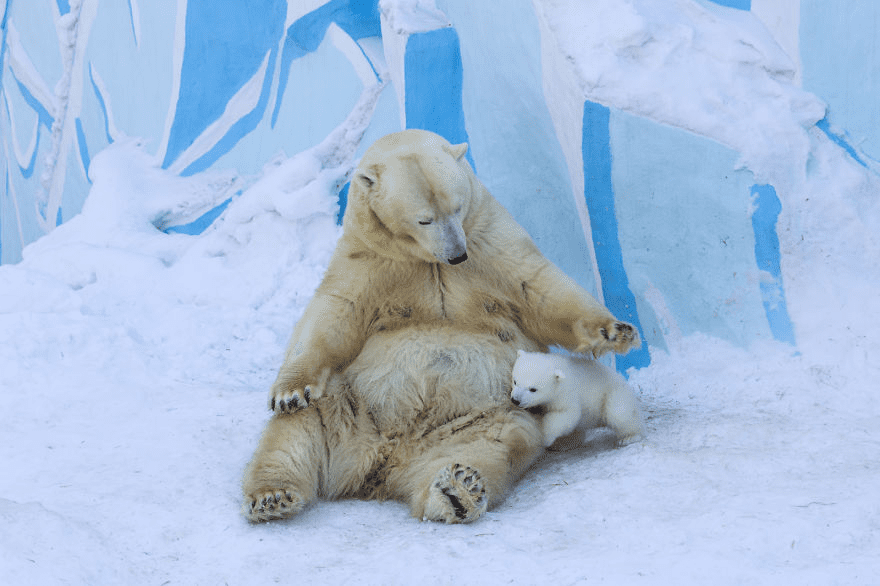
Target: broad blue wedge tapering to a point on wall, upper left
225,45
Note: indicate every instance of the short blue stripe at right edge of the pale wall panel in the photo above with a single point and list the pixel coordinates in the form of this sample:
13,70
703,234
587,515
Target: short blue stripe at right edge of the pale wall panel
767,208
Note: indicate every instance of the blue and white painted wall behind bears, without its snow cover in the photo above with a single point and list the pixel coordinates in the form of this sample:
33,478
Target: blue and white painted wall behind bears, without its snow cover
667,228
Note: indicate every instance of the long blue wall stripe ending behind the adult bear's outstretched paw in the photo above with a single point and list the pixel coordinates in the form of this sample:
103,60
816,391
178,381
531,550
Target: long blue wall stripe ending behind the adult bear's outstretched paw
599,194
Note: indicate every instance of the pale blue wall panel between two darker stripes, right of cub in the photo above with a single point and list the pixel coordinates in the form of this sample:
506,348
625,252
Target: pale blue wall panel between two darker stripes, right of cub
685,229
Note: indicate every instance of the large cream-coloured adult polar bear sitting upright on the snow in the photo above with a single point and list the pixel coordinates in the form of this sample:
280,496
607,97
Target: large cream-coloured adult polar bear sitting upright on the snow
396,379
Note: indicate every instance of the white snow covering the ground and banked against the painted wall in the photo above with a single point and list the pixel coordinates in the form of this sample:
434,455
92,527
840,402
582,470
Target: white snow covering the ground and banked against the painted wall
135,367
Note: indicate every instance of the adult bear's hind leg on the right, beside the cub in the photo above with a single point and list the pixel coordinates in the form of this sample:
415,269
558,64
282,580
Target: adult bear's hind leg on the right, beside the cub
466,467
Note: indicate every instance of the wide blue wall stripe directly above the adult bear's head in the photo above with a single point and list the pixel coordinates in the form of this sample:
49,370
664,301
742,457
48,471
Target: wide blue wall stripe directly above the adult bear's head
433,76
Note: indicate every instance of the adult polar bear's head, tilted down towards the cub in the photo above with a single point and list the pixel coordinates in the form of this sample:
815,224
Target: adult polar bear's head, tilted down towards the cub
409,198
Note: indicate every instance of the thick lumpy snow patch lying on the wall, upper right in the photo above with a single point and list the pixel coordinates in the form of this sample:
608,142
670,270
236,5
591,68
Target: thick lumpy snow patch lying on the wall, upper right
678,62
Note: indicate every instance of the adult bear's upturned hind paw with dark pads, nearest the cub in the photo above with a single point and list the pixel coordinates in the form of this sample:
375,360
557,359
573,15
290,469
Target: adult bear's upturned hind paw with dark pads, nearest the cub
457,495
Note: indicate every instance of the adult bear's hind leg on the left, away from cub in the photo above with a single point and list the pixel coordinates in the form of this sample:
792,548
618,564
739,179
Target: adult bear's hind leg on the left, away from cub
284,473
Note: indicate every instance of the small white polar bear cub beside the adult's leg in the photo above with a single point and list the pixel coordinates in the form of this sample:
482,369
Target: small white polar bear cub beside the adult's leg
576,393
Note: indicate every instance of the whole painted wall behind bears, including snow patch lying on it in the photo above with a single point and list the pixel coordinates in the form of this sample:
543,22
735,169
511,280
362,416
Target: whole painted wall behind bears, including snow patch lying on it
659,151
